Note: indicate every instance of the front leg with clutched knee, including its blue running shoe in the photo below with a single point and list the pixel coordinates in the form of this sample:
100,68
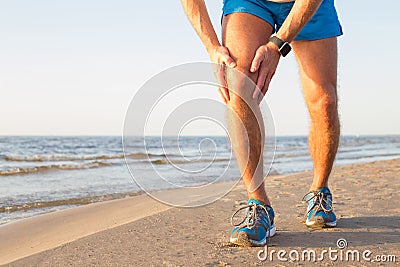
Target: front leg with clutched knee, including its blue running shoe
243,34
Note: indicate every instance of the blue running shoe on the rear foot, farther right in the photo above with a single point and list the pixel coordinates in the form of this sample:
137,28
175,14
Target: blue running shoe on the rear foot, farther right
319,211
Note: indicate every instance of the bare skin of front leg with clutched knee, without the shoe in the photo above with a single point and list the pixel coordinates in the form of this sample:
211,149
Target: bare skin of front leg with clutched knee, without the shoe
243,34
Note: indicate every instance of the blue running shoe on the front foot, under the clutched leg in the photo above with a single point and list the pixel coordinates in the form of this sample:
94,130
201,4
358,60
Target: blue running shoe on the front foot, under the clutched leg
256,227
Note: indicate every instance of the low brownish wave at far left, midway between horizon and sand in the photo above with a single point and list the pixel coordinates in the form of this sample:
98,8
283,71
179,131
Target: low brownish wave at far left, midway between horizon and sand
45,168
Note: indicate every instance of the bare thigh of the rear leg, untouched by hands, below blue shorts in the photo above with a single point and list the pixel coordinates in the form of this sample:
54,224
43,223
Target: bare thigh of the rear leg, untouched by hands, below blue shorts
317,62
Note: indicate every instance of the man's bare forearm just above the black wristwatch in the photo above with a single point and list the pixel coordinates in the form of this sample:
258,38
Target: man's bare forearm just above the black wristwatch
300,14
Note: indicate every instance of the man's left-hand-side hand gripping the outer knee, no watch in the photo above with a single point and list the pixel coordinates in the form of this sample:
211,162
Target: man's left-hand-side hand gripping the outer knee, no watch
220,55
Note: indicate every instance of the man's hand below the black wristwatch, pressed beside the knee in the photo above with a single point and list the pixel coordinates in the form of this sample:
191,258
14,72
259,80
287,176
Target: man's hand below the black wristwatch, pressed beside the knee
265,61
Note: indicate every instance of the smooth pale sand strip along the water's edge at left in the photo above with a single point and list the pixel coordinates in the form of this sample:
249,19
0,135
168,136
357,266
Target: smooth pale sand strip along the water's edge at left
35,234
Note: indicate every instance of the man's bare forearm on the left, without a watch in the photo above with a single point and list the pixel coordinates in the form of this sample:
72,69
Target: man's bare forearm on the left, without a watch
197,14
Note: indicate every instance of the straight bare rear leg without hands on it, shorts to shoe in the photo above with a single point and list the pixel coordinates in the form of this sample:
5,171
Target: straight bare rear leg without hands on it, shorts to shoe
318,69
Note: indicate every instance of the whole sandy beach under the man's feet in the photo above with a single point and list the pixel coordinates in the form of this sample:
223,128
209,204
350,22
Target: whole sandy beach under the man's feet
140,231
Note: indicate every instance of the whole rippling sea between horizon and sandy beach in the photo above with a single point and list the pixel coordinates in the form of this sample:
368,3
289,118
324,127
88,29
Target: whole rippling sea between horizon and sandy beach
41,174
